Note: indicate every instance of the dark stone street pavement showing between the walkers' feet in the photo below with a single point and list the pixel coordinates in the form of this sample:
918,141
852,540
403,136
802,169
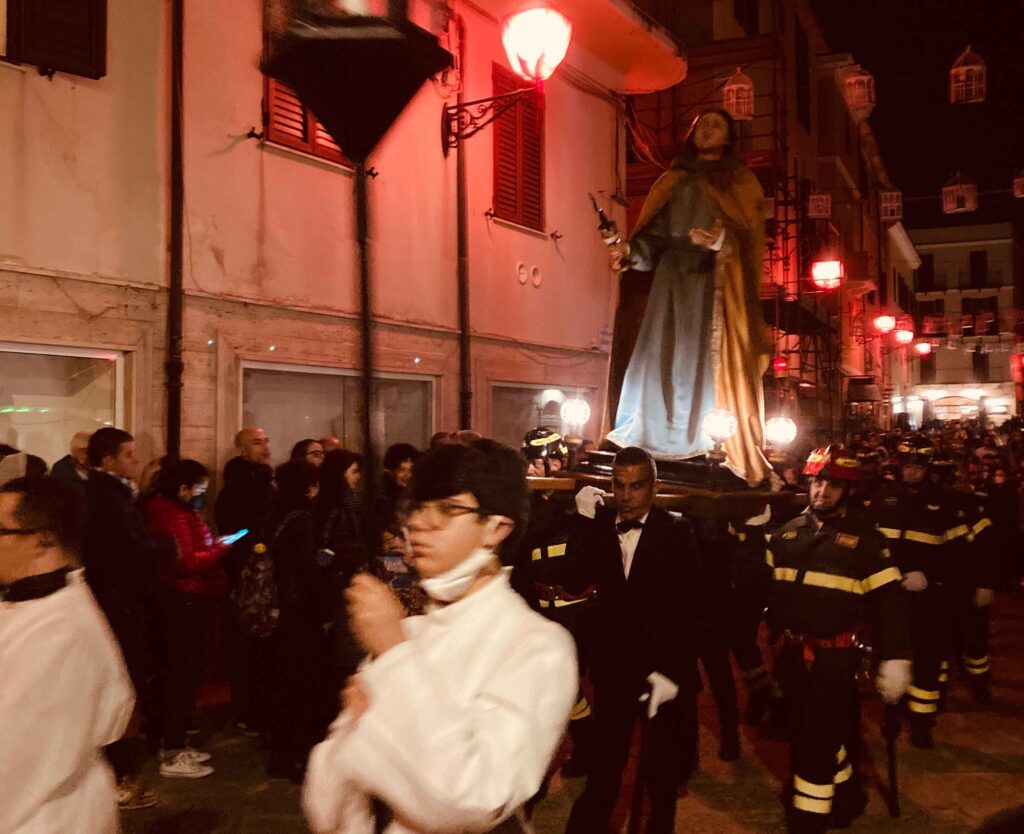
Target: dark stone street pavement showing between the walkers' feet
974,776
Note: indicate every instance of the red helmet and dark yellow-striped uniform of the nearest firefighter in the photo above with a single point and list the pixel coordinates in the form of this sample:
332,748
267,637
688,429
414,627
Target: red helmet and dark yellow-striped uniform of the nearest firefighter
830,574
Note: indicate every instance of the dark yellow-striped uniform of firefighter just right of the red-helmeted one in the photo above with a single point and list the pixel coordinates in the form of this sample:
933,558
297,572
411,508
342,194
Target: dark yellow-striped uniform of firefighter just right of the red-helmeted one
925,533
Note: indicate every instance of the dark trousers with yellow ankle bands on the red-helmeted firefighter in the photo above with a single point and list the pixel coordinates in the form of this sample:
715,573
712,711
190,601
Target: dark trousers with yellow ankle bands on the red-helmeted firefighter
821,702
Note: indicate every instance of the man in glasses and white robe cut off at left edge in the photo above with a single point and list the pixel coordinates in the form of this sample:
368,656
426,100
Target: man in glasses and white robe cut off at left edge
65,691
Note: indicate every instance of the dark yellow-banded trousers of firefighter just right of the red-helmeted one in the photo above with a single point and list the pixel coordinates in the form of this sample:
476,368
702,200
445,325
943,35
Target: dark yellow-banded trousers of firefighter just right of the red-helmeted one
931,623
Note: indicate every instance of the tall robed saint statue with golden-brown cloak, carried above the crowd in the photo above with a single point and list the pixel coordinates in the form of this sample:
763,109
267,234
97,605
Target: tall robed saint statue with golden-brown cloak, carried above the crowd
702,345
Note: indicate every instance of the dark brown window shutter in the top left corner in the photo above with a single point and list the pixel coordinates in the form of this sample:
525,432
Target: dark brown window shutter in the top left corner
69,36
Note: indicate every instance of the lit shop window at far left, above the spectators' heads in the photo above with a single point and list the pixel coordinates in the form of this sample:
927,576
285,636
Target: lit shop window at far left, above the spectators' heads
48,395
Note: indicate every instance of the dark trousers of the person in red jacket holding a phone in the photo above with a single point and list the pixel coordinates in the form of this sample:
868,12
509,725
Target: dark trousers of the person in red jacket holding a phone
188,630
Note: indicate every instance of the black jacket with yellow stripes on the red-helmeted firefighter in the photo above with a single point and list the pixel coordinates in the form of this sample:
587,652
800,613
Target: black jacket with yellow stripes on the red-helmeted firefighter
833,580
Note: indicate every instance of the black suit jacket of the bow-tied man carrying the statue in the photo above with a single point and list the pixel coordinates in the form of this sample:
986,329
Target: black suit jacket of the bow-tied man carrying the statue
650,622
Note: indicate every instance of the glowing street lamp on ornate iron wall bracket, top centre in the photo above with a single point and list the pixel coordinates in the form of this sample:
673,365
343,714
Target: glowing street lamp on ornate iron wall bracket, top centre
536,39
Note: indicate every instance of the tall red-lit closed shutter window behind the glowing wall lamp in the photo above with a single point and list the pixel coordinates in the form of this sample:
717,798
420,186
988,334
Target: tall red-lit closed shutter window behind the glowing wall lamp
519,139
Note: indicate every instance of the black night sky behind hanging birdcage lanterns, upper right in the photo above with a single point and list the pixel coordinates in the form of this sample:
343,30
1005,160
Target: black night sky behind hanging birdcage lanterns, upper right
910,47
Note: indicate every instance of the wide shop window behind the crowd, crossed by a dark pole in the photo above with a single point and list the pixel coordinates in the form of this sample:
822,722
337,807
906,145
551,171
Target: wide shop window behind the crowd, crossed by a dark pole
295,402
